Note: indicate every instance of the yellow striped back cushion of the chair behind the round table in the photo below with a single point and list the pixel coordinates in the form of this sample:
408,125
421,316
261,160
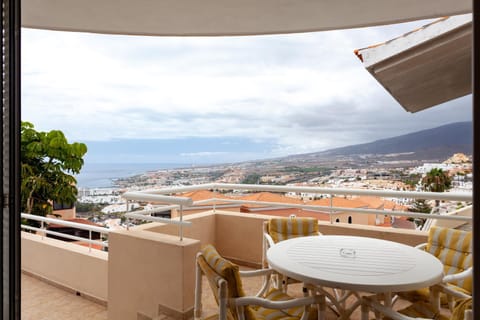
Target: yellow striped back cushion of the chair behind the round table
286,228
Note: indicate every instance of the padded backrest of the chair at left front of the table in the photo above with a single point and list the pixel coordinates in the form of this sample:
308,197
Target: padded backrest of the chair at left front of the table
216,268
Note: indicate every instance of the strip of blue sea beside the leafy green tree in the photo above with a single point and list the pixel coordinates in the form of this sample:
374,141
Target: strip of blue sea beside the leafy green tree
100,175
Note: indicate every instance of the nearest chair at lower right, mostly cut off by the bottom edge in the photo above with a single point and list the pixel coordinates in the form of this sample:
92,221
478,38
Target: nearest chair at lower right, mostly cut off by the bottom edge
420,310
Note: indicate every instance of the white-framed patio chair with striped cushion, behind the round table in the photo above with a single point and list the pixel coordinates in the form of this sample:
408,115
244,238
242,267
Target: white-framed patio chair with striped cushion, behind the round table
279,229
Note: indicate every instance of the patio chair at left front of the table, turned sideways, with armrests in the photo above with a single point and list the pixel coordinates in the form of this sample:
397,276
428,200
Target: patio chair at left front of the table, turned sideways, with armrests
225,281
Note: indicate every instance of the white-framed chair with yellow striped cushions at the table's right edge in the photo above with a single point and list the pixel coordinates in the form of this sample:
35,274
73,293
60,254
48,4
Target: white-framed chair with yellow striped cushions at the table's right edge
454,249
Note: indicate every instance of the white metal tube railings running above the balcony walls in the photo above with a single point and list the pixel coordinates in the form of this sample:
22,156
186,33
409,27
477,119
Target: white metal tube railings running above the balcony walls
169,202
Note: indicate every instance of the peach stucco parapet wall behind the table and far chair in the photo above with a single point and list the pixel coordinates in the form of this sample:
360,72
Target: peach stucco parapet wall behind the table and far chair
227,231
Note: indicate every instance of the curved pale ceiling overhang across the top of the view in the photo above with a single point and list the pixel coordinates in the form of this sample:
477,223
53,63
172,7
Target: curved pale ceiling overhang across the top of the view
227,17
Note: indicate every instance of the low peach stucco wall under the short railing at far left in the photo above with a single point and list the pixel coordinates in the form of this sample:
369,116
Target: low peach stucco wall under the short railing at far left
66,265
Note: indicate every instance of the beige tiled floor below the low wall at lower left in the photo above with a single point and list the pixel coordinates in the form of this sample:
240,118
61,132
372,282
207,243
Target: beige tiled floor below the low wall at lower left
42,301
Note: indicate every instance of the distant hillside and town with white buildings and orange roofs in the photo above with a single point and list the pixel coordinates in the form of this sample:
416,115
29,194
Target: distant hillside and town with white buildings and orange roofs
338,168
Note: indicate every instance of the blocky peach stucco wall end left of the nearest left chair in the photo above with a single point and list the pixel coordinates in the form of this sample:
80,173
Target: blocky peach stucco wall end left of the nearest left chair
150,274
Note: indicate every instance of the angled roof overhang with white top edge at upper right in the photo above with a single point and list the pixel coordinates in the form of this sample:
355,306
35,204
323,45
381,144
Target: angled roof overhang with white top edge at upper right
427,66
